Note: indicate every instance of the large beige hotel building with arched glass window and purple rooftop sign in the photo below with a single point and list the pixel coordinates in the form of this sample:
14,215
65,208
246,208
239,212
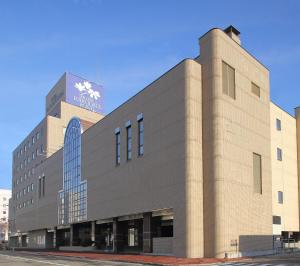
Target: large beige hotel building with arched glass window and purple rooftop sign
199,163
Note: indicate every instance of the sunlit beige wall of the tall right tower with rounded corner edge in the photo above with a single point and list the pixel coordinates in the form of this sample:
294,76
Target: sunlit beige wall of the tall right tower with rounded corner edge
234,129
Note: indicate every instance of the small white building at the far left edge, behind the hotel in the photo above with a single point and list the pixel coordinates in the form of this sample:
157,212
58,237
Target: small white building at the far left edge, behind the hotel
5,195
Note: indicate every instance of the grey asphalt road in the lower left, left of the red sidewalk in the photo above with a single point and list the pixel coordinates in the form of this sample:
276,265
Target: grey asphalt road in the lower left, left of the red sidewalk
9,258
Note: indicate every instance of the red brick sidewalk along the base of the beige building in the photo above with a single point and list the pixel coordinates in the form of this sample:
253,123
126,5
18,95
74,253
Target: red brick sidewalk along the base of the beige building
144,259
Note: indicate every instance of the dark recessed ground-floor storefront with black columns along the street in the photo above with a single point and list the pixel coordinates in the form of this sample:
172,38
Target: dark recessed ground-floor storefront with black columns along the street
150,232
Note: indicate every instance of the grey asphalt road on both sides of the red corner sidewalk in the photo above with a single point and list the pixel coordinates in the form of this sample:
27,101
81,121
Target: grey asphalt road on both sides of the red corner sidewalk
17,258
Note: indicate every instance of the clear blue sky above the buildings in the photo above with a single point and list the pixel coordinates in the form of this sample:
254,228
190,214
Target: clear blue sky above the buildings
124,45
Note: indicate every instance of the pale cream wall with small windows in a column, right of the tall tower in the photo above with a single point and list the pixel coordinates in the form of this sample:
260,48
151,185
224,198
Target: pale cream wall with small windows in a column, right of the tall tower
284,173
